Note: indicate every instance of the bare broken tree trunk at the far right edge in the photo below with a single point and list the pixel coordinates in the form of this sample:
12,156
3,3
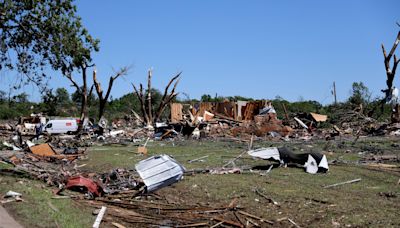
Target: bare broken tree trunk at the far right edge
390,73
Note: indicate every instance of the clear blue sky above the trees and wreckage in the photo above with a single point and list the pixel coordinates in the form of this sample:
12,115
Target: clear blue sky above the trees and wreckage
259,49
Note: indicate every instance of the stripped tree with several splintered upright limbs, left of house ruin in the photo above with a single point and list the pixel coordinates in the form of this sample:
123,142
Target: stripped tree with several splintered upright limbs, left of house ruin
150,116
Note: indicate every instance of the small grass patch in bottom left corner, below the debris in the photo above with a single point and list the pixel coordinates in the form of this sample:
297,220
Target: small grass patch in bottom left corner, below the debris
35,211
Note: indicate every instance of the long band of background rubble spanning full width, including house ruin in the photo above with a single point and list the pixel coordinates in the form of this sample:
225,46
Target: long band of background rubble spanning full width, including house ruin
229,120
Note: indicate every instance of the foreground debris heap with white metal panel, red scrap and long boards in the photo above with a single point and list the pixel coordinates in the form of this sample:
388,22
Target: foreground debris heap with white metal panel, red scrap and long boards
129,196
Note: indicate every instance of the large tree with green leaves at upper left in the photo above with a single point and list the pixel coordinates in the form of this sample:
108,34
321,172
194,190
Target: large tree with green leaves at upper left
41,33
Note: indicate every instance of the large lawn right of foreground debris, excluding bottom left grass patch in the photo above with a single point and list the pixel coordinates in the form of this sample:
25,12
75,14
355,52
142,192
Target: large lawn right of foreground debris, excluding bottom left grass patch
299,194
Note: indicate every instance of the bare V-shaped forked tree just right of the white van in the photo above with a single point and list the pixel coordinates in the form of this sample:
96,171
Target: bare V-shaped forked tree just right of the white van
103,98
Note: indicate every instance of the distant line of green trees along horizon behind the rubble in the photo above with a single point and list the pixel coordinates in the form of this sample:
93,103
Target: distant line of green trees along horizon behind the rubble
60,103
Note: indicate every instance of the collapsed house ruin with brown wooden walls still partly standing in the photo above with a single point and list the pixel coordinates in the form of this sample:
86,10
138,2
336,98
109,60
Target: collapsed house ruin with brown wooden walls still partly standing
228,119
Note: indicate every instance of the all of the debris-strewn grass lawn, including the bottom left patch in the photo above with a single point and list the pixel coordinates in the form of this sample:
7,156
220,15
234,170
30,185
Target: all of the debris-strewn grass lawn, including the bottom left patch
300,196
